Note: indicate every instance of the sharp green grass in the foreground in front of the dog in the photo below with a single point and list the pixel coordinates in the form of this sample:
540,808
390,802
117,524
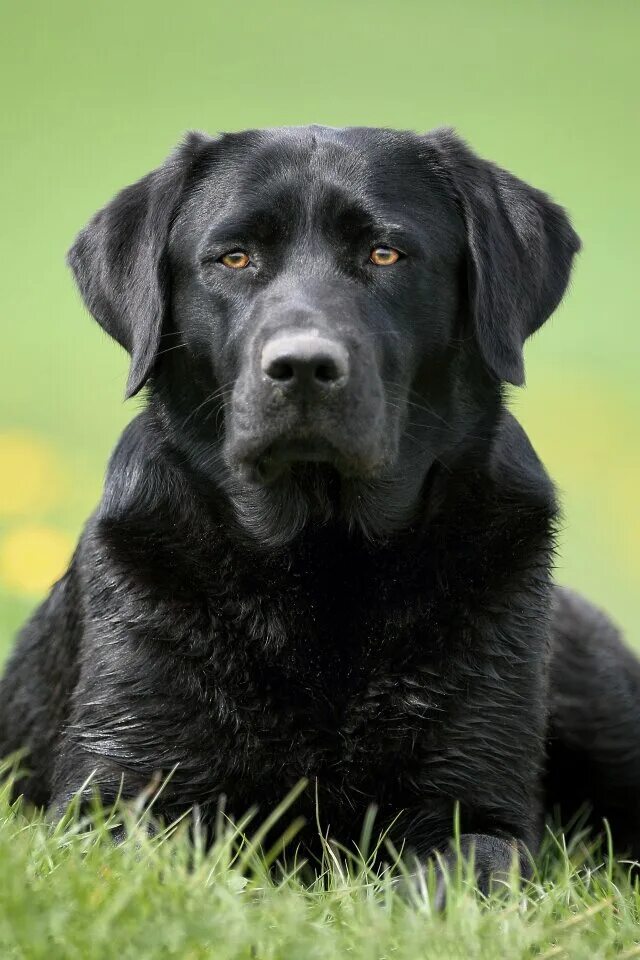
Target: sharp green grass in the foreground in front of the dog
69,892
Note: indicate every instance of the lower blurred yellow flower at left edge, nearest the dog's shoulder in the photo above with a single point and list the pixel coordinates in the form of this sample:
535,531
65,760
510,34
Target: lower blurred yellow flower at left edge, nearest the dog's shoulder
32,557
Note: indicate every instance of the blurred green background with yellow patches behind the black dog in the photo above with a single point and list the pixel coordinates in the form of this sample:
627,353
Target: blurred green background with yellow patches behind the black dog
95,94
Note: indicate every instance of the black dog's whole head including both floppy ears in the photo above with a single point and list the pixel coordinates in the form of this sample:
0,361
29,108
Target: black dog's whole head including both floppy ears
324,314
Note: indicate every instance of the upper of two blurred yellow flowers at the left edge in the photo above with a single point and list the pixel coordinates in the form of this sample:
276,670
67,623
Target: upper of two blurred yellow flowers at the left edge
31,477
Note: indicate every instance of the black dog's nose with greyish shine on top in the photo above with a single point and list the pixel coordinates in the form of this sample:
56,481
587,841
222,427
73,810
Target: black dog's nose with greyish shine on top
305,360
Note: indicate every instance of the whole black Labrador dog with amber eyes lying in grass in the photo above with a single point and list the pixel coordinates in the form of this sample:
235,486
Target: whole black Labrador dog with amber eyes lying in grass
324,548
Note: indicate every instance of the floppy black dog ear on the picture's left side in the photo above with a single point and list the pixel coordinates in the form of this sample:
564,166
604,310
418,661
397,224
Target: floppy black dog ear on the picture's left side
120,264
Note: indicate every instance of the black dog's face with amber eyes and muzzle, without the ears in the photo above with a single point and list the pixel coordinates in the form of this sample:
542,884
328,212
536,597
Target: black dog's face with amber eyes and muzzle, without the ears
317,295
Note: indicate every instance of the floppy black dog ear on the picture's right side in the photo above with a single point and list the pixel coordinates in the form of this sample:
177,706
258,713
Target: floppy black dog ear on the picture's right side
520,249
